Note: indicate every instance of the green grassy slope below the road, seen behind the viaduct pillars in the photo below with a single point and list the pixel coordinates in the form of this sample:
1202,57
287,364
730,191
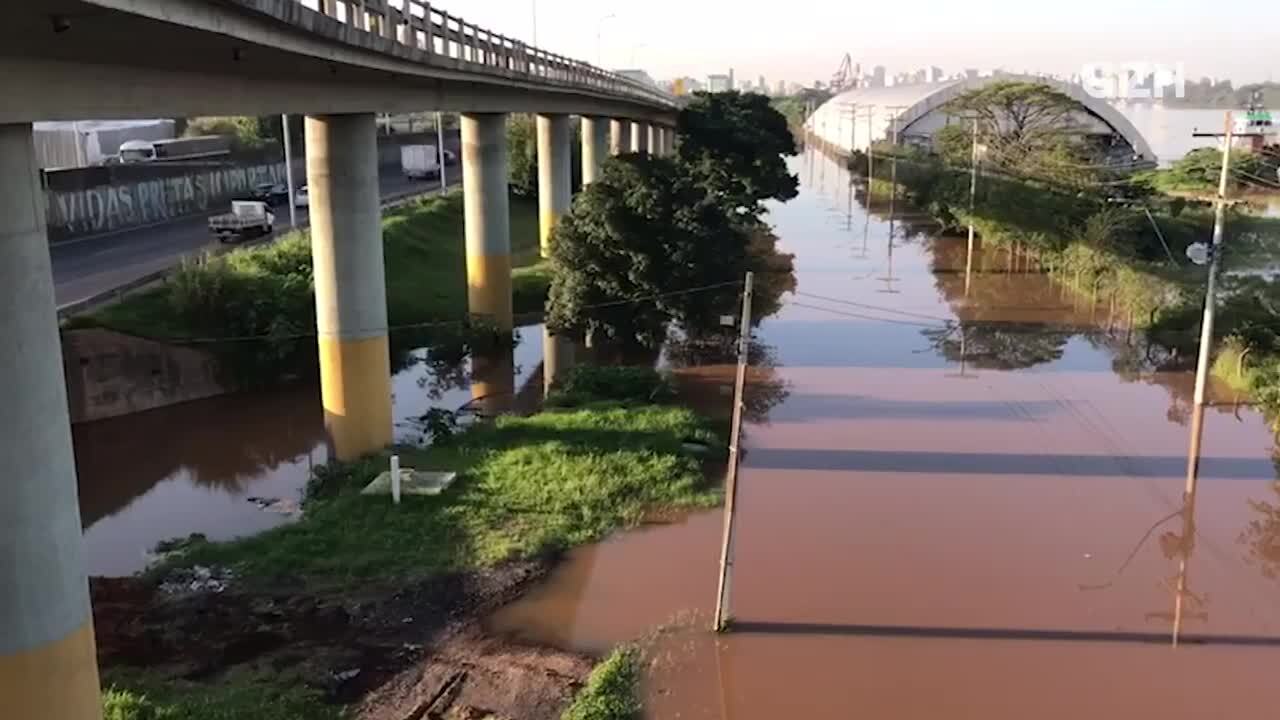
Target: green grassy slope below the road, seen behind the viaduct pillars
255,307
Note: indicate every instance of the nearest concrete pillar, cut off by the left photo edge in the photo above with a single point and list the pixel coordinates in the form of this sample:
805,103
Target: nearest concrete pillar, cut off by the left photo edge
48,660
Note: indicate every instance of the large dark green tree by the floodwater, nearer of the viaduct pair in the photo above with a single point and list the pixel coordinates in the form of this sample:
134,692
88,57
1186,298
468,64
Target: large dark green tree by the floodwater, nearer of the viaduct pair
641,233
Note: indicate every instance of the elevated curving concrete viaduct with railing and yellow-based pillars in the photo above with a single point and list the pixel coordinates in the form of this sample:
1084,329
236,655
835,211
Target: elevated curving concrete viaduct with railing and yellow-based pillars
336,62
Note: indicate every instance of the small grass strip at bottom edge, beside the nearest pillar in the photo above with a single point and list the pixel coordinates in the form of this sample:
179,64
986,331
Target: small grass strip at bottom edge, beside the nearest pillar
136,695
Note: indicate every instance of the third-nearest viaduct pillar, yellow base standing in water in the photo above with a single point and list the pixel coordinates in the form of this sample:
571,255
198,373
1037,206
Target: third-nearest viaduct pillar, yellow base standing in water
488,217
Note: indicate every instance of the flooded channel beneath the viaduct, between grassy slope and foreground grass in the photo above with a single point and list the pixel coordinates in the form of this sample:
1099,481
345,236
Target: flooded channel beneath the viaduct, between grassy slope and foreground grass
194,468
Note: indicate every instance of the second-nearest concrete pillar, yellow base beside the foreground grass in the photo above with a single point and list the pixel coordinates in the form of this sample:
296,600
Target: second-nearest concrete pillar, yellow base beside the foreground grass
351,284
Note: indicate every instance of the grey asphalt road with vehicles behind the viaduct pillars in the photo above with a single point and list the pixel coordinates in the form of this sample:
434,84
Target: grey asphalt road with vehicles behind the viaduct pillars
85,268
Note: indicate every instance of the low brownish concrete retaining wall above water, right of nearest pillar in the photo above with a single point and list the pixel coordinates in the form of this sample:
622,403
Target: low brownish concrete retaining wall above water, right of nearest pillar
112,375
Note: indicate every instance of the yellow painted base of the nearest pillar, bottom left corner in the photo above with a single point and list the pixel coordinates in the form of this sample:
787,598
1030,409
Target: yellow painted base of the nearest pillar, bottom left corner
58,681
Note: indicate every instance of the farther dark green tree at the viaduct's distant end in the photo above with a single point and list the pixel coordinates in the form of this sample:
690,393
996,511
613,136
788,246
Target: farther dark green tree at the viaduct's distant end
735,147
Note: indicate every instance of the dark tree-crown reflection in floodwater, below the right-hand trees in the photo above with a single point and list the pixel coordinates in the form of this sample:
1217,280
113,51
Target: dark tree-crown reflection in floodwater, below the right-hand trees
1000,347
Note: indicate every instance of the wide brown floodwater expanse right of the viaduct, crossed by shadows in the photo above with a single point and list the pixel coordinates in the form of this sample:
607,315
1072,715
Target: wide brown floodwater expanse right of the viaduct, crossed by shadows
952,505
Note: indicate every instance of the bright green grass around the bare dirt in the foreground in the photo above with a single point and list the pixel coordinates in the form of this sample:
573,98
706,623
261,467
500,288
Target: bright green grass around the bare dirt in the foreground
601,461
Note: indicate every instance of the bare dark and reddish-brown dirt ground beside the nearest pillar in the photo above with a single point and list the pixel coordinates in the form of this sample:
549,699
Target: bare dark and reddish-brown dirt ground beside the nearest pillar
394,654
